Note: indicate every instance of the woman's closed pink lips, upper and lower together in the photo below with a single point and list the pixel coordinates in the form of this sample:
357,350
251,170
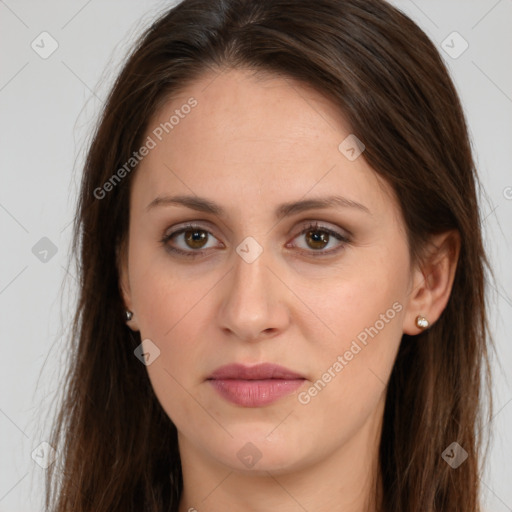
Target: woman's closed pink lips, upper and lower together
254,386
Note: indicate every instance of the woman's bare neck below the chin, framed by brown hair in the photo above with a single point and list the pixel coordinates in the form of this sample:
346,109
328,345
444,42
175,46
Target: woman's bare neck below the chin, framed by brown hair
345,479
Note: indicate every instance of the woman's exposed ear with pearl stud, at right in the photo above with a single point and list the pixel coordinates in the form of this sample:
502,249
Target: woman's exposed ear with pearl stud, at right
432,280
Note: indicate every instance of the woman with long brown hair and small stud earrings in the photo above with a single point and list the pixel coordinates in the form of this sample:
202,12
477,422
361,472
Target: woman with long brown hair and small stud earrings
282,273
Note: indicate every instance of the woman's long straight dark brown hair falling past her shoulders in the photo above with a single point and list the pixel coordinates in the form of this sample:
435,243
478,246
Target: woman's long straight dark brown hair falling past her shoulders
117,448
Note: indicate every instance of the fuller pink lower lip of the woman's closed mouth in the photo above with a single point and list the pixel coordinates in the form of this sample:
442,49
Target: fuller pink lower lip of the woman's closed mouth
255,393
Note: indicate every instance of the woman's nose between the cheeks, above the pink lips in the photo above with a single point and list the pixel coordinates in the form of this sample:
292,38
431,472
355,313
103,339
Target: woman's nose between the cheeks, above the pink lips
254,304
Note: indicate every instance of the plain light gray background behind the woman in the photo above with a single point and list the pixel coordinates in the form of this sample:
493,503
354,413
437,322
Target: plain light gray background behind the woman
47,109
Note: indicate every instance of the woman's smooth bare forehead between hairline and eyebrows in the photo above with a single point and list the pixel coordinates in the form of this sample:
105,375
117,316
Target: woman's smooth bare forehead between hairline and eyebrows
260,138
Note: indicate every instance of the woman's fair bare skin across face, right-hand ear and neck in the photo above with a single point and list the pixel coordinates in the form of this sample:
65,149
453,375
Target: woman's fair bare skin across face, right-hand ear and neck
251,144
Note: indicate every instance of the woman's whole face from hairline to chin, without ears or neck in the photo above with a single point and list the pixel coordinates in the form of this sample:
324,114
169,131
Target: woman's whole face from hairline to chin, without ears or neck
287,251
